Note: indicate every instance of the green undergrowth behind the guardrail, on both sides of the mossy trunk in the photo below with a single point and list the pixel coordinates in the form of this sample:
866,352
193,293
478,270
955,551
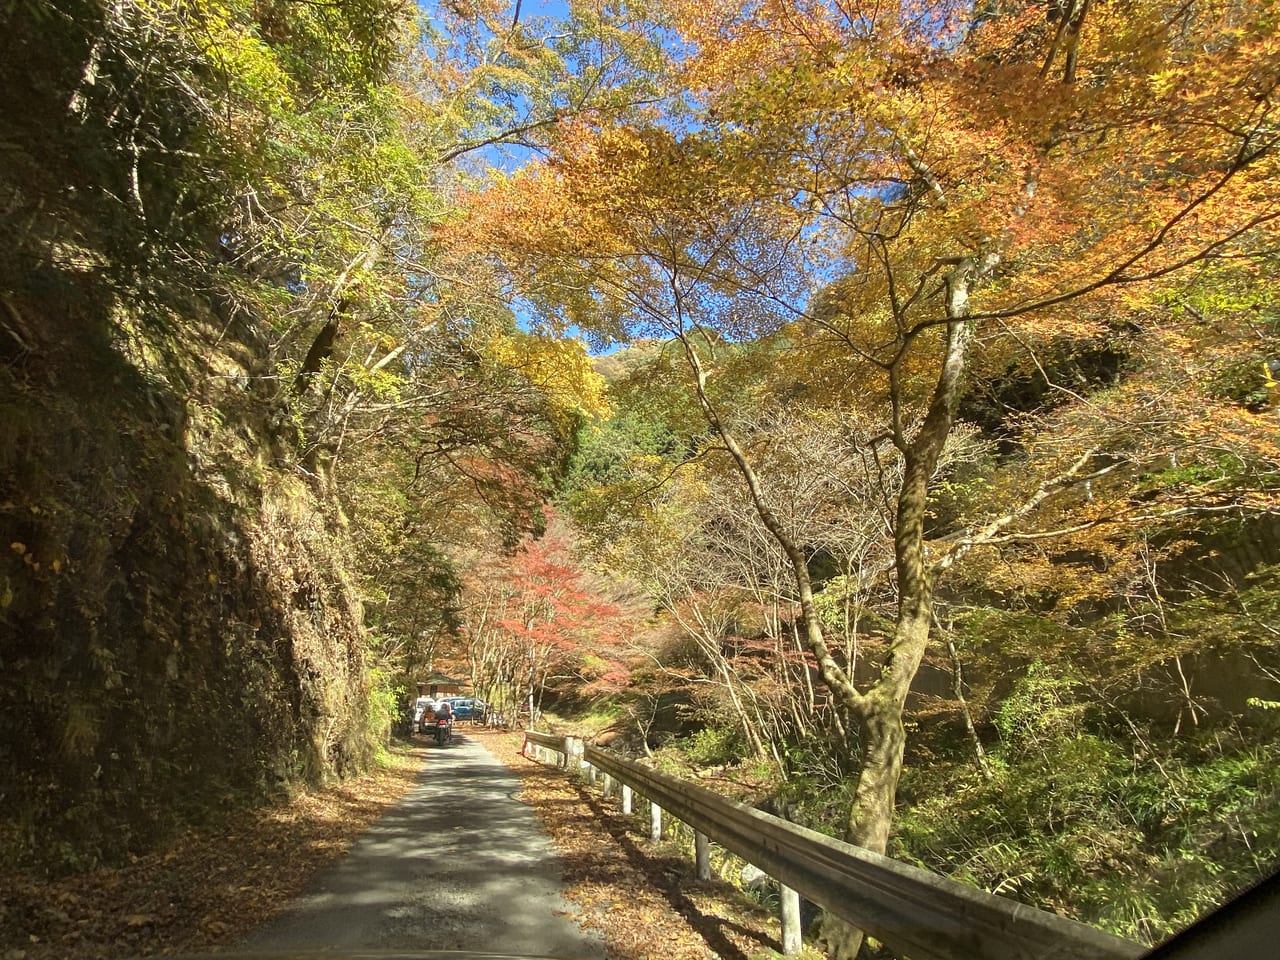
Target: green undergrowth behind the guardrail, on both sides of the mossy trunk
1122,769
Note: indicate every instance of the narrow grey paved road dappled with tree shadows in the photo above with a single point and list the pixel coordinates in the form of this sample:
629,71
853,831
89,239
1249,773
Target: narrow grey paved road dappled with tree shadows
459,865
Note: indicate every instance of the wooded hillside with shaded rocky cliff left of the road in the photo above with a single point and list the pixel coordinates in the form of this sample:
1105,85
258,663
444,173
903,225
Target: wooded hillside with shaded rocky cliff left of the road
248,404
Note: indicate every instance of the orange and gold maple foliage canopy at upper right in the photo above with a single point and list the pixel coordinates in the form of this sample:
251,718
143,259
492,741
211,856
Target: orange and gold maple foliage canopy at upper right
1158,157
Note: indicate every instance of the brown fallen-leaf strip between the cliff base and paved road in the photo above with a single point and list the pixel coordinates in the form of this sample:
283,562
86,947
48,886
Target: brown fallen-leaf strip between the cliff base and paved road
208,889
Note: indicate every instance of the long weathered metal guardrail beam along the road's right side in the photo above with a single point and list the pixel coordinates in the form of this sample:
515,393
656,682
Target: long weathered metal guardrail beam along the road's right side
913,911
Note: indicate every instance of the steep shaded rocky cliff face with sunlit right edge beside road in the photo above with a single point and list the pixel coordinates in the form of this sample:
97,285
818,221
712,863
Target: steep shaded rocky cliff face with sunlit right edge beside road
177,629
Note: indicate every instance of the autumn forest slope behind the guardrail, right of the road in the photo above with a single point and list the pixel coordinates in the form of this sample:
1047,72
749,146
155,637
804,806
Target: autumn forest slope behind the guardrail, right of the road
950,459
